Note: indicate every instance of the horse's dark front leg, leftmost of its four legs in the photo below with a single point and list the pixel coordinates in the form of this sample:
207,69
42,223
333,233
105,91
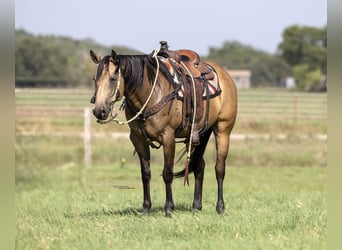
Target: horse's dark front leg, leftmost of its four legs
144,156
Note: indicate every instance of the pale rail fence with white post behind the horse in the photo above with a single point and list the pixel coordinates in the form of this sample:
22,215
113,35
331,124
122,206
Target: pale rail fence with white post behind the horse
63,103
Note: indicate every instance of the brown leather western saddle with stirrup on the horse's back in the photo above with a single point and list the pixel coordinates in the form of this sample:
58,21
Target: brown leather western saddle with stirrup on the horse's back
194,74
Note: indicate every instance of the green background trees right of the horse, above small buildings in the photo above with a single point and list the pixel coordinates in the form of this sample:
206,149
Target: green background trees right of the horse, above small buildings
301,54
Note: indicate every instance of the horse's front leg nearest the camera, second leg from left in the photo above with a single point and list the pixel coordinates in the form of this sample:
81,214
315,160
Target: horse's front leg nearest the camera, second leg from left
169,153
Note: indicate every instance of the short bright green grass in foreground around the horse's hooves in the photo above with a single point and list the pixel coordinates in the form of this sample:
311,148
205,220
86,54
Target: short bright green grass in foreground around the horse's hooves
266,208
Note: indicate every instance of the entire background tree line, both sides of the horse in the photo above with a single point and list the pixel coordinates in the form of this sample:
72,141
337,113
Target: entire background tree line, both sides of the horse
46,61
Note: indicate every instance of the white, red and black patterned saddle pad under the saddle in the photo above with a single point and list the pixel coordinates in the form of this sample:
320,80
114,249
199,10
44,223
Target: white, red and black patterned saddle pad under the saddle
213,84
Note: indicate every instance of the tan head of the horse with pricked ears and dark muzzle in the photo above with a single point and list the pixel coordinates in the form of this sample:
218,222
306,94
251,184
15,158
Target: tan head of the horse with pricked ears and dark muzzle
108,89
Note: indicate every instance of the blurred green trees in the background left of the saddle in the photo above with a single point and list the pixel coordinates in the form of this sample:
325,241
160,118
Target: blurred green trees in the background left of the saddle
56,60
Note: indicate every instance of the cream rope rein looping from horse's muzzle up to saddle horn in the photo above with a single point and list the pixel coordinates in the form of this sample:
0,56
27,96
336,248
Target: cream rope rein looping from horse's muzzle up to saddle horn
113,116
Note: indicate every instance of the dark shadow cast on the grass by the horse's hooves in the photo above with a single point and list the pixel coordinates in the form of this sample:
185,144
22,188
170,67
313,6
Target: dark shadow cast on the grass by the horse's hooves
138,212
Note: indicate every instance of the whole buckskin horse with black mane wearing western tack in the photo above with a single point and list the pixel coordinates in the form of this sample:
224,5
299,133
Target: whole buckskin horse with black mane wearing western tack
156,115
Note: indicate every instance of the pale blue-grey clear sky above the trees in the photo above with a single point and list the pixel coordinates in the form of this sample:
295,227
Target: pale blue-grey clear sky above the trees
185,24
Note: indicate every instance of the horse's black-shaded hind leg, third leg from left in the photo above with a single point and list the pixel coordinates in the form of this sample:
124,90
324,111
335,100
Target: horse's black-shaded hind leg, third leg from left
198,165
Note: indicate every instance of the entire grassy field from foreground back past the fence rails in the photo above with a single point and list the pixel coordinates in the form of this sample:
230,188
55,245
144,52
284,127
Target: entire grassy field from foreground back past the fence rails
275,190
